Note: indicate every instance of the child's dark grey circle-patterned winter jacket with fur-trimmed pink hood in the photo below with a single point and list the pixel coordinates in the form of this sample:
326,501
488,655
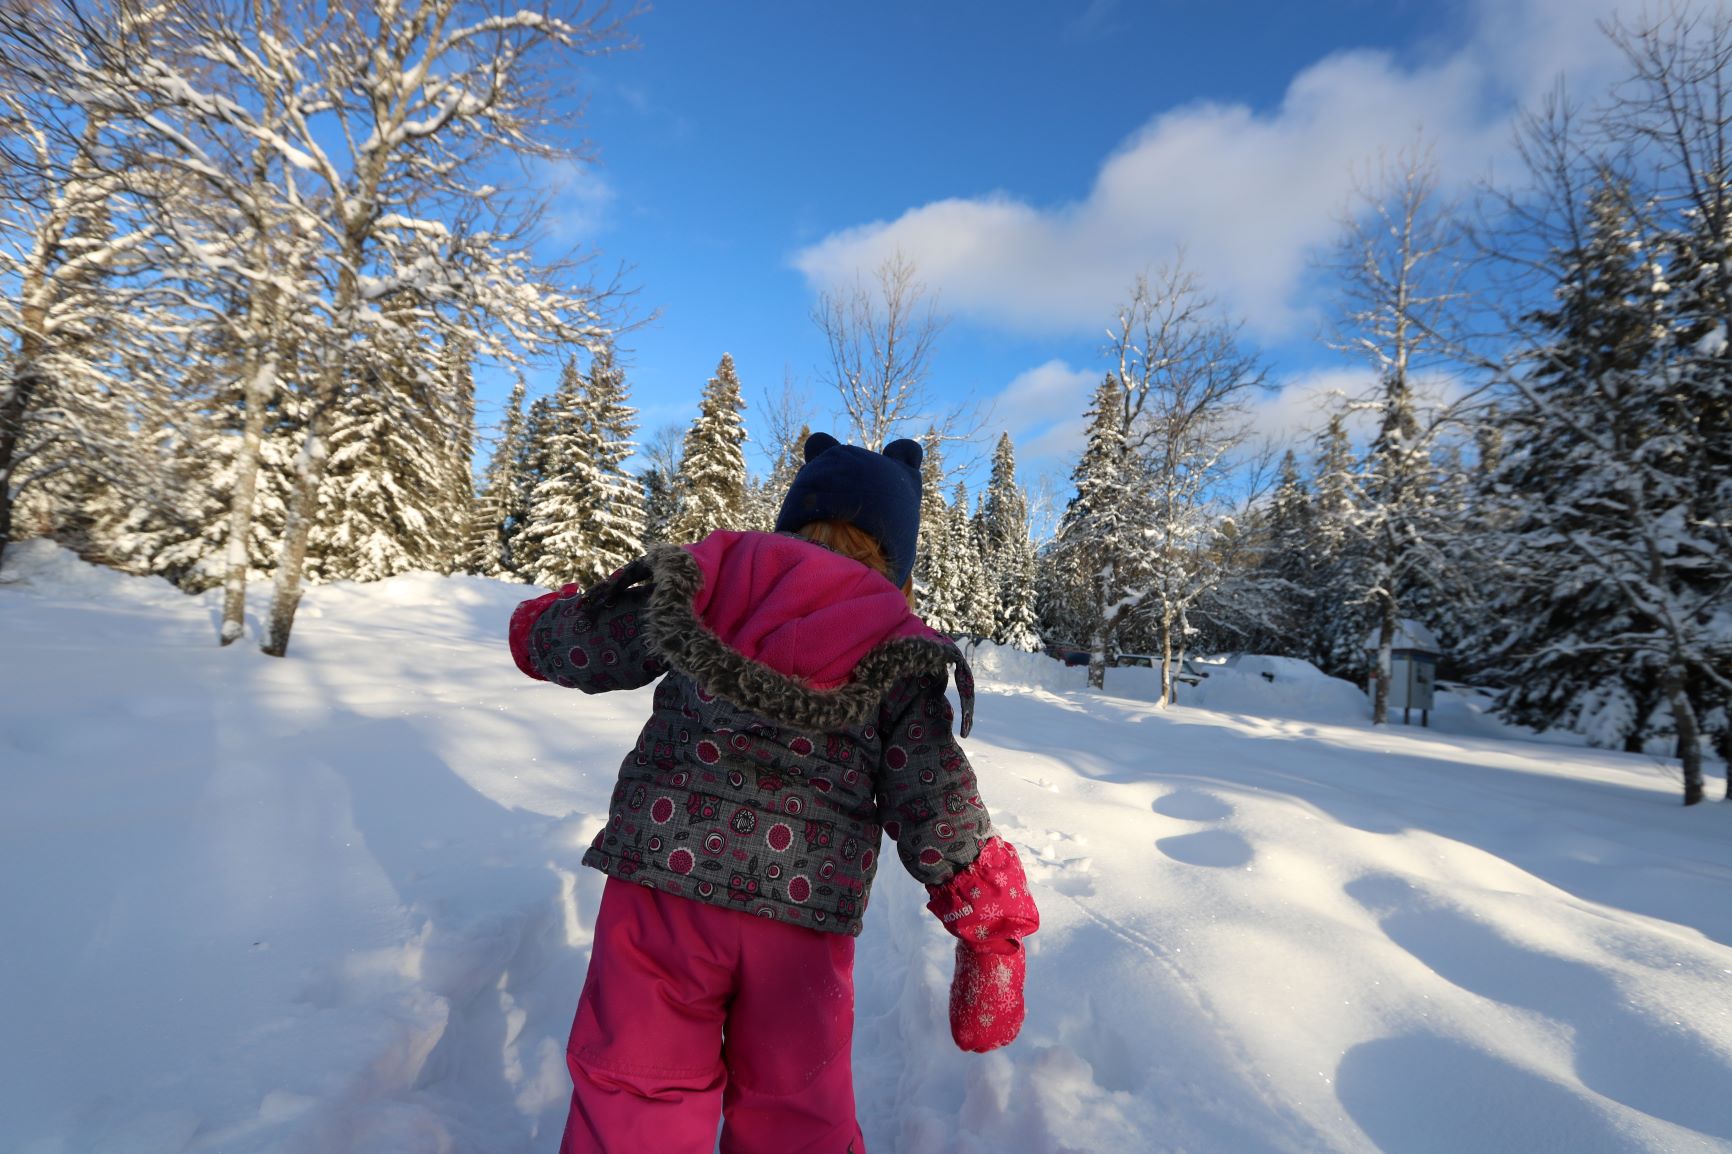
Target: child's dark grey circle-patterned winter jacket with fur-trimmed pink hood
801,715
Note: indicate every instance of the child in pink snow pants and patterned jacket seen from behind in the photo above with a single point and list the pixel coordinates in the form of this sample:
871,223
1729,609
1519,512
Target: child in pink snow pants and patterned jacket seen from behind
801,715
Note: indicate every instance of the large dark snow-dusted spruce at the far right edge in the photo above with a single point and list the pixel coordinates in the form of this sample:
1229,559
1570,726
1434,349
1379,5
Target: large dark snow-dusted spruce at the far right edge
1606,616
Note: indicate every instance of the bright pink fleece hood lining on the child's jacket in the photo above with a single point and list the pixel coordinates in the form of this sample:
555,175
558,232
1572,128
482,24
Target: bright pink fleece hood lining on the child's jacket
798,607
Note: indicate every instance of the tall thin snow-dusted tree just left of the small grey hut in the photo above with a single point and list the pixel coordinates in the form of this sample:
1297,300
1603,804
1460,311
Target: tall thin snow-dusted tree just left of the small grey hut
1399,278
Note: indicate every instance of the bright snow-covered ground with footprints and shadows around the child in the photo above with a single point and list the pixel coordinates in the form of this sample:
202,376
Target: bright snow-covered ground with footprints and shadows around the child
335,904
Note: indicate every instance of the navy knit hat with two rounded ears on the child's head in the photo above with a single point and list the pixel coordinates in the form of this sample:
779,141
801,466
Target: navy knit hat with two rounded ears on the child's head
876,491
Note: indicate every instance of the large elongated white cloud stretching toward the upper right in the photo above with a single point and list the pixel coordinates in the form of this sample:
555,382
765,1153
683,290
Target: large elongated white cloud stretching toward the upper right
1250,197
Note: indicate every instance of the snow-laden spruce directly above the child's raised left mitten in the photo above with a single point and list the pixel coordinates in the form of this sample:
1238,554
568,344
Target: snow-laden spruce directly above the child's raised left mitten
557,536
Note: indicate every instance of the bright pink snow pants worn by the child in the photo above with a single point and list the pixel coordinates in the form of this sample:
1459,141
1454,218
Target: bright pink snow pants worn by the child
694,1013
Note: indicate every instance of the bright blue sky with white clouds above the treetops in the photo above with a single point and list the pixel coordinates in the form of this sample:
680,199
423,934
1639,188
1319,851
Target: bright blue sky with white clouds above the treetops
1030,159
